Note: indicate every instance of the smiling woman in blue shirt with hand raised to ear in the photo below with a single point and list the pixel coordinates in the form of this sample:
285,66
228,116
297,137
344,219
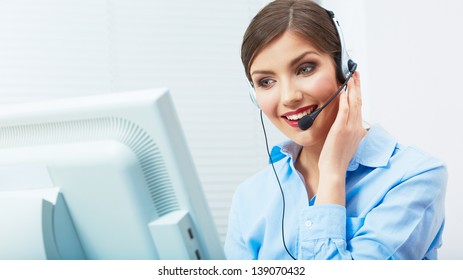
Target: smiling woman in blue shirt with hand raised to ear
335,190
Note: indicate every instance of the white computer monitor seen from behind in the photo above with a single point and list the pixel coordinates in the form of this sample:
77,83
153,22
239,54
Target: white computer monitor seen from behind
101,177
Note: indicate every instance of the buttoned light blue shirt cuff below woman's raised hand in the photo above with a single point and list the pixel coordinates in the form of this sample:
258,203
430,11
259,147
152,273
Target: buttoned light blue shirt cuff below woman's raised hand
323,221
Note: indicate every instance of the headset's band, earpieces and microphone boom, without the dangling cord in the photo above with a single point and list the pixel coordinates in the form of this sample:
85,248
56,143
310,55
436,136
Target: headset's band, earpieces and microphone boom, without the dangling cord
346,68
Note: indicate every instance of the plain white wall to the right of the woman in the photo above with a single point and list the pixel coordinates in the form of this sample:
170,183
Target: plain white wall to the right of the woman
413,58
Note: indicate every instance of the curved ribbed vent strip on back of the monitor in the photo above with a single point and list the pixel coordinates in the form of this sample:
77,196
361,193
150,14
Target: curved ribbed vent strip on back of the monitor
119,129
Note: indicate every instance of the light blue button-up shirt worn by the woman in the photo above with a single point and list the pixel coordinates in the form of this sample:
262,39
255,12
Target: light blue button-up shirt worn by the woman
394,208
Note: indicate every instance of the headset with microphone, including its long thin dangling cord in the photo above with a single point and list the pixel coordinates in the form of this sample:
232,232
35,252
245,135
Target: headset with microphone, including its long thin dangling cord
346,68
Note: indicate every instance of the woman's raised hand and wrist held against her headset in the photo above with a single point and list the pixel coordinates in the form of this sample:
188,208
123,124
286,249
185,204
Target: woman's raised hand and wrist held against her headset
340,145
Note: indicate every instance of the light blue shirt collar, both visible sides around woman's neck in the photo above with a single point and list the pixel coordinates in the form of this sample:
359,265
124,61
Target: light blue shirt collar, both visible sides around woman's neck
375,149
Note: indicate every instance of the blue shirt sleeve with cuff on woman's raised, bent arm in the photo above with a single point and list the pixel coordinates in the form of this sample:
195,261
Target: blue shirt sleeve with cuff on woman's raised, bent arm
406,224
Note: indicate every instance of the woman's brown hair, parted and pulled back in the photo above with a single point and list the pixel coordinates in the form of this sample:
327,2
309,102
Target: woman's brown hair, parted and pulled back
304,17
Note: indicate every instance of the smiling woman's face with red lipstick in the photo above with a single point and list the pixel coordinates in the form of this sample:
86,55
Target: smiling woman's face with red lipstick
291,79
